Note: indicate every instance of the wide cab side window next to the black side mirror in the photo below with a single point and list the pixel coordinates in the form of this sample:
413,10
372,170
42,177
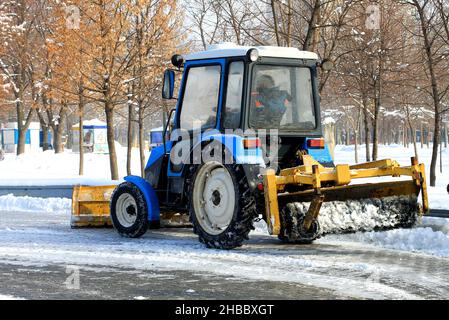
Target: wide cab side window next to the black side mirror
200,103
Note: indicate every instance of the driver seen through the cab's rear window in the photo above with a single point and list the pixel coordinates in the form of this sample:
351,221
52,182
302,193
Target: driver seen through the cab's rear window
270,102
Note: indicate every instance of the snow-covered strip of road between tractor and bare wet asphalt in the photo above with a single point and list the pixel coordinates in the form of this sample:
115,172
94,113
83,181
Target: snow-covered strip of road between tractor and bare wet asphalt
348,265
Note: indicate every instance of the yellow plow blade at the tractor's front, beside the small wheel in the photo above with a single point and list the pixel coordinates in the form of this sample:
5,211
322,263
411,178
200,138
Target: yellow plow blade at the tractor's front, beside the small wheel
90,206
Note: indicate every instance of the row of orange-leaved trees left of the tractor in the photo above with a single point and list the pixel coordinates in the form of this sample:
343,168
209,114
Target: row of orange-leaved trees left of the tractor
60,55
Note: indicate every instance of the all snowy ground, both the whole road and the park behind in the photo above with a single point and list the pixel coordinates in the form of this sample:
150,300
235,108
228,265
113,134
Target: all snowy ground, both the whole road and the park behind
37,245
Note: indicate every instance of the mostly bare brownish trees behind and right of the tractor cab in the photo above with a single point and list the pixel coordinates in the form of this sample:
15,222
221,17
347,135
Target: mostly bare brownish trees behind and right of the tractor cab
390,55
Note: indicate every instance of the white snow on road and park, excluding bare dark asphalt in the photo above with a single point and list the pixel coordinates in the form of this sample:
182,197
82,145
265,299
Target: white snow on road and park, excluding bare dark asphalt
397,264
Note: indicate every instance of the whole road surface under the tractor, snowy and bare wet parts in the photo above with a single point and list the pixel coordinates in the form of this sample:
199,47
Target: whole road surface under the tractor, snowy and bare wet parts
42,258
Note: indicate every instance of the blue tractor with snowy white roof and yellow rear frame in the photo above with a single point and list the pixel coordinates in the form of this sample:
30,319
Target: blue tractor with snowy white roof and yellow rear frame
236,107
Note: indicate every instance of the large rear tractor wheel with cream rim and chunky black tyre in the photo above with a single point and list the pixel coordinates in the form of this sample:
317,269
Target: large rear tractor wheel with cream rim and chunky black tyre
222,208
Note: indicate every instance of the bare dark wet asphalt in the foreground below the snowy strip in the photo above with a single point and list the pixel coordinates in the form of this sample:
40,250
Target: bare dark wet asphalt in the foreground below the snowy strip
96,282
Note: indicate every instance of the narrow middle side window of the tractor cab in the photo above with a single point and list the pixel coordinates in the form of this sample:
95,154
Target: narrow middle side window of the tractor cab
233,107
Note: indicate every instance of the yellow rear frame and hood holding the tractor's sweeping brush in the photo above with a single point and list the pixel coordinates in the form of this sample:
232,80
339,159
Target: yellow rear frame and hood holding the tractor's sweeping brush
318,185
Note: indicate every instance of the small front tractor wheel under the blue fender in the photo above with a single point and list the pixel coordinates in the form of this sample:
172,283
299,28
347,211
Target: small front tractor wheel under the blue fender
129,211
